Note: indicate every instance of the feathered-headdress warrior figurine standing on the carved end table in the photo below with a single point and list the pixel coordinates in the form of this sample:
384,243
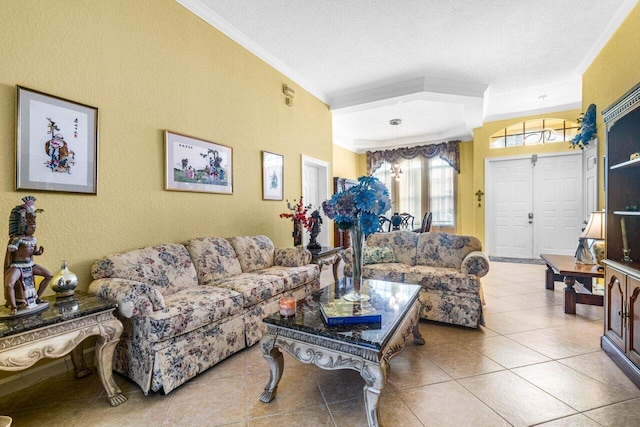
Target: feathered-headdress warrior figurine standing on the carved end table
19,268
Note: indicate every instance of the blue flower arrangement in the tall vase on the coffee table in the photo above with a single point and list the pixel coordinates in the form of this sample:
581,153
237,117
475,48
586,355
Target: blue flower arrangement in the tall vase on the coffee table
359,205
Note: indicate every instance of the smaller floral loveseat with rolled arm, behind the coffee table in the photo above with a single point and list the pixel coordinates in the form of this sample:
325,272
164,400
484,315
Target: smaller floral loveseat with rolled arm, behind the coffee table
448,267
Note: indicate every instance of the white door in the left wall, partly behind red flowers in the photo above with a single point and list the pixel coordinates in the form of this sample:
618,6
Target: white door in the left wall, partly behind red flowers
315,190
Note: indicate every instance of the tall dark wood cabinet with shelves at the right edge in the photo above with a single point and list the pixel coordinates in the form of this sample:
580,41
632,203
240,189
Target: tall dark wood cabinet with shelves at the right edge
621,339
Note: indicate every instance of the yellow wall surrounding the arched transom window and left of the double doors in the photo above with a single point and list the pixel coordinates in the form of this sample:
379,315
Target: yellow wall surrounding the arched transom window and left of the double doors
481,151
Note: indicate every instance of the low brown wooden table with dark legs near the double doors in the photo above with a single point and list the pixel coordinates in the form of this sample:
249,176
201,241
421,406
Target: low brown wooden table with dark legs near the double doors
561,267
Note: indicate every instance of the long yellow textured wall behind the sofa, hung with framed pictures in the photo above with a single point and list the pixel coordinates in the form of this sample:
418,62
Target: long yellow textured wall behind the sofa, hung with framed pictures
151,65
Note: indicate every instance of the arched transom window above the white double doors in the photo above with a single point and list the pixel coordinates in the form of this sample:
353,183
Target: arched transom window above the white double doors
533,132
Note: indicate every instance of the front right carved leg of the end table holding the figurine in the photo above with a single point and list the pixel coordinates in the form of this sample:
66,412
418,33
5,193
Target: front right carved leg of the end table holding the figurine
110,331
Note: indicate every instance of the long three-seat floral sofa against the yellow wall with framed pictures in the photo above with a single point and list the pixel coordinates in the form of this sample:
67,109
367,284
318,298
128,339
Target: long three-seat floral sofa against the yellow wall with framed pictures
186,307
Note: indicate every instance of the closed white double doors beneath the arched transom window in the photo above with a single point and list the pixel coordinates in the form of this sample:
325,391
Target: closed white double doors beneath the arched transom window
534,205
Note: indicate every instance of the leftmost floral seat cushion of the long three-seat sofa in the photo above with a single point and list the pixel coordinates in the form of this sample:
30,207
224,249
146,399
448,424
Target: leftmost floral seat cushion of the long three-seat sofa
190,309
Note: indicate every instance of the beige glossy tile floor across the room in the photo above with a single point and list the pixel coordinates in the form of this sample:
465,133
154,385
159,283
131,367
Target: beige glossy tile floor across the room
531,365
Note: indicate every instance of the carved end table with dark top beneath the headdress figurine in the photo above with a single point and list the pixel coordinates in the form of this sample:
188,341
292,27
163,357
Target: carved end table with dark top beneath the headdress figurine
60,330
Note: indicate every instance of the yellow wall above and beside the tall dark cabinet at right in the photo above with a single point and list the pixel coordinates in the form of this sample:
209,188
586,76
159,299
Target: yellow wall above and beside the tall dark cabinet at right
612,73
